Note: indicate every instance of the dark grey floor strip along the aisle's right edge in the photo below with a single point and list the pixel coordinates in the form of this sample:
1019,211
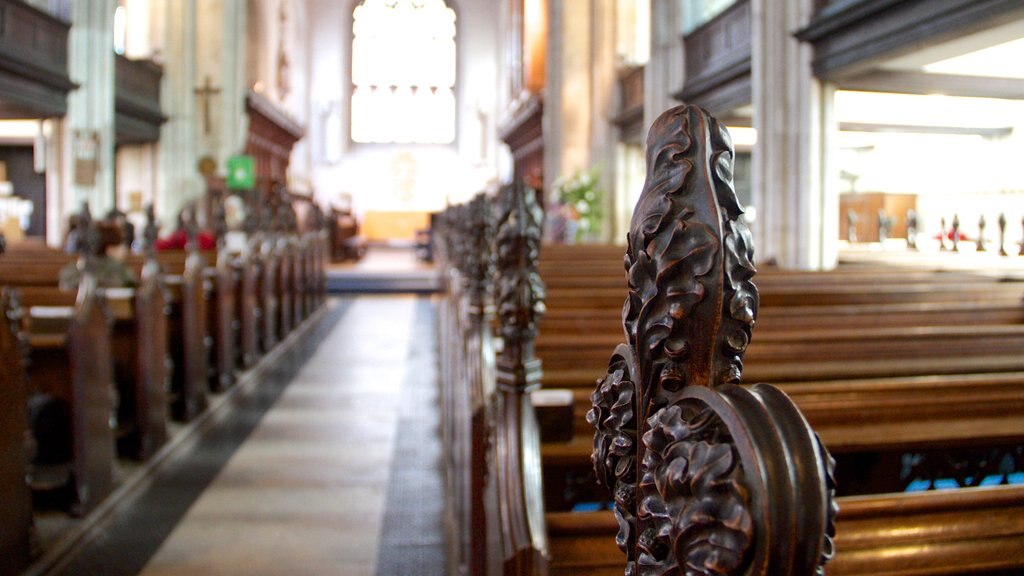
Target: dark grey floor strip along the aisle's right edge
412,540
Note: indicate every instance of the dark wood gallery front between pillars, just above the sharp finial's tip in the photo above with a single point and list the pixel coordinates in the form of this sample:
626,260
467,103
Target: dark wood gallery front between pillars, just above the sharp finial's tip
718,62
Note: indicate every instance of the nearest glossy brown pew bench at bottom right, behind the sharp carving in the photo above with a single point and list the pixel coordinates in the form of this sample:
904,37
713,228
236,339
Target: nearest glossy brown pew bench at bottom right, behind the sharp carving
969,531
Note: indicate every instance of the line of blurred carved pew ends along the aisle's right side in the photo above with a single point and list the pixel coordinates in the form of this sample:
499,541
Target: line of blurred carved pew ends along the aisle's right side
496,502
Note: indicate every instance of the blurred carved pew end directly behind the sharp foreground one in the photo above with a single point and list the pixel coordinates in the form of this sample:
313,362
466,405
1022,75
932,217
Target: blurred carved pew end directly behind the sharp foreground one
520,305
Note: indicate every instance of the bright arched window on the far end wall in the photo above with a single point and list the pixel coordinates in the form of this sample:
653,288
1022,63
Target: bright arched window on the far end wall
404,63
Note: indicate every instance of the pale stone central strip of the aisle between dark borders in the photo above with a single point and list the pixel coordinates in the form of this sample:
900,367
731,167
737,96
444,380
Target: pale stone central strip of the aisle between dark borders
306,493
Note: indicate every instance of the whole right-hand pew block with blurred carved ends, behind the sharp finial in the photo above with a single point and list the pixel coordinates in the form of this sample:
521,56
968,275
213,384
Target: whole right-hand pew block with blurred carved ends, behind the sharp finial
913,379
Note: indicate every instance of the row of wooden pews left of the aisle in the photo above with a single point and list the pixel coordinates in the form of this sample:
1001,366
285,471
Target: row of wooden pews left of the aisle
115,365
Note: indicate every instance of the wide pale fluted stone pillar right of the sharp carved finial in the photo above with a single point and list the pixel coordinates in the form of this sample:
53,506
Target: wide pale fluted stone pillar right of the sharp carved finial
797,221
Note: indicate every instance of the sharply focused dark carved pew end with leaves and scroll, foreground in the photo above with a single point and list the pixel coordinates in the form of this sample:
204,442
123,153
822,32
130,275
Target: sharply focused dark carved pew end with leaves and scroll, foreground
708,477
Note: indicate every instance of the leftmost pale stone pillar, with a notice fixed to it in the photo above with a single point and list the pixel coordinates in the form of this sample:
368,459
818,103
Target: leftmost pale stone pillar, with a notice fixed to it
89,128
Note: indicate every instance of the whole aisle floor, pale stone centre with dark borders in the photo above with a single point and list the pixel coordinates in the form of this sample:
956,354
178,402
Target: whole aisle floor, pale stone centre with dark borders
308,483
